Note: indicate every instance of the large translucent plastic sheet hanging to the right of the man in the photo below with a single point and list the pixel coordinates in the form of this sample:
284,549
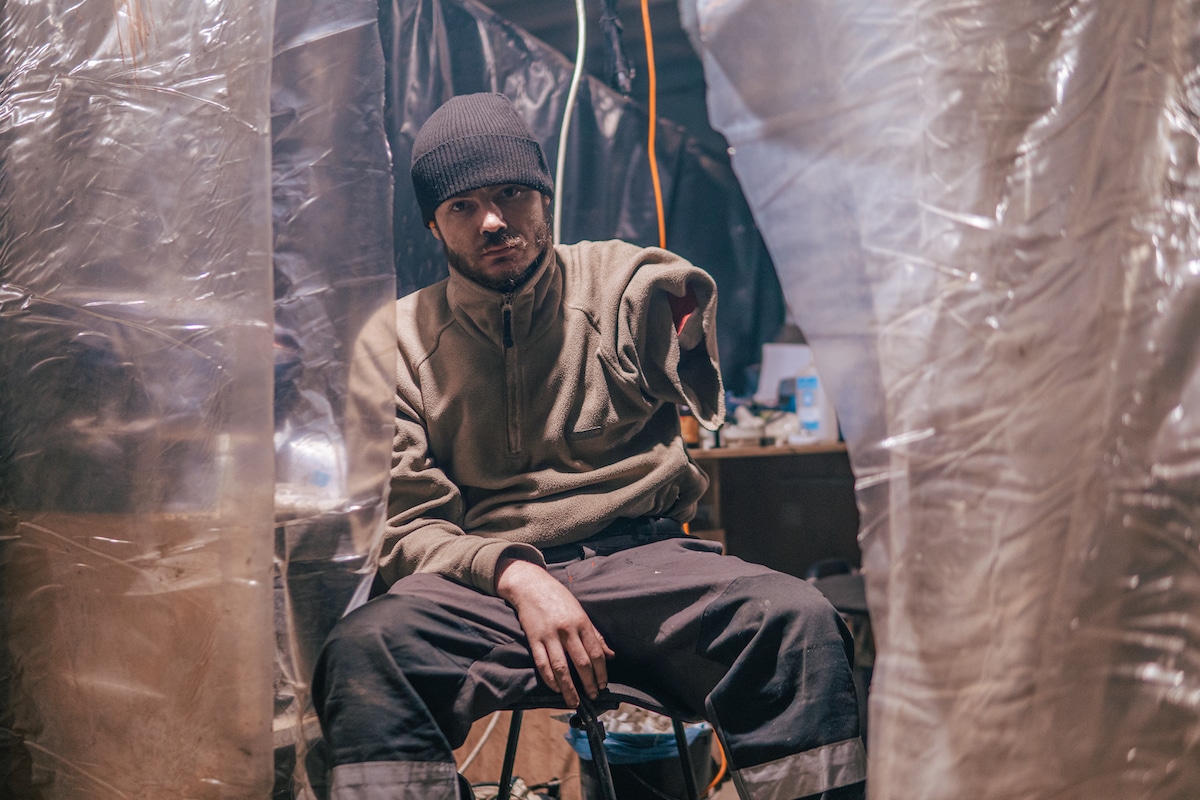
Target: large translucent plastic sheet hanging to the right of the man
985,216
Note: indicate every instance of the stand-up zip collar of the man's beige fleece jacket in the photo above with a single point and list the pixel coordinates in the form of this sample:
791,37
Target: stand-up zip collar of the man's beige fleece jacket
533,308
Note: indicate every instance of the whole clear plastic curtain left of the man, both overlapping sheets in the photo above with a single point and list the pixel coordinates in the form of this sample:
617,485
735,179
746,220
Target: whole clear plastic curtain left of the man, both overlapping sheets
160,175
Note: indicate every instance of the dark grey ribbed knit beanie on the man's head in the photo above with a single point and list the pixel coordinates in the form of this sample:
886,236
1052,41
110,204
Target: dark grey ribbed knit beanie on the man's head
471,142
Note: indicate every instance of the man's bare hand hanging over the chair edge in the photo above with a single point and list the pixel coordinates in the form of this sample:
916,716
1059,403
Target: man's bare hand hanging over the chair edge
559,629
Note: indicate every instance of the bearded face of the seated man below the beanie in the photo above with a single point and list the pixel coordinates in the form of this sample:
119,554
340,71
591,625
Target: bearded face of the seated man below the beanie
495,236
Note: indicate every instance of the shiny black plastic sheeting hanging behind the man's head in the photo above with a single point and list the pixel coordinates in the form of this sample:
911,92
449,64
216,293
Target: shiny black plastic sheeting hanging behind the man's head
441,49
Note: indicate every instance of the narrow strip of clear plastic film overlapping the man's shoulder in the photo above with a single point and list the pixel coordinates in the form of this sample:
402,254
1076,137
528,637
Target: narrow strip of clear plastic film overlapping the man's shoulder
335,346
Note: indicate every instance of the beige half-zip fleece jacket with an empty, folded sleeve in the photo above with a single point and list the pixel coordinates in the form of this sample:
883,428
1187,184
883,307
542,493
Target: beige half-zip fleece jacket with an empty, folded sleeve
531,420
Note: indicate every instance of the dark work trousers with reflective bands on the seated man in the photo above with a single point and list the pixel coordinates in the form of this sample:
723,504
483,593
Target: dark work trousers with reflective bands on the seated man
759,654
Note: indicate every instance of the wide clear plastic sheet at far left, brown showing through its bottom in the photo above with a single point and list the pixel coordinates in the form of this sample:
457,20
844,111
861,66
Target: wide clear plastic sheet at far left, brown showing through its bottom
135,382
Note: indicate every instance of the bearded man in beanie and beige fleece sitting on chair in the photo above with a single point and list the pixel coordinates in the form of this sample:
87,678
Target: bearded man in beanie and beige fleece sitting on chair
539,485
